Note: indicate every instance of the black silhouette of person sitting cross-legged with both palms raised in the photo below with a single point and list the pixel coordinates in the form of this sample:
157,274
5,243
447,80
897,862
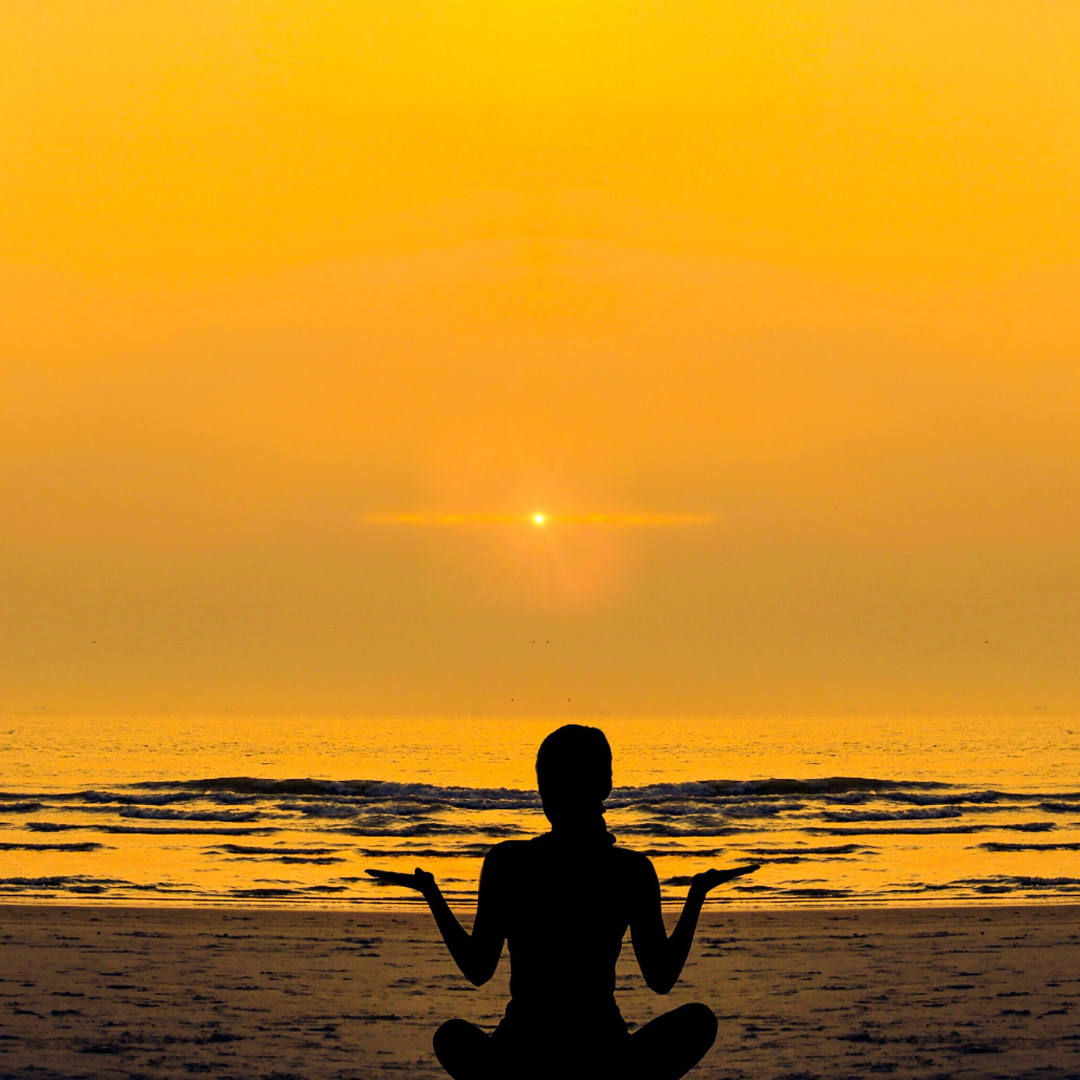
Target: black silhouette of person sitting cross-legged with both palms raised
563,902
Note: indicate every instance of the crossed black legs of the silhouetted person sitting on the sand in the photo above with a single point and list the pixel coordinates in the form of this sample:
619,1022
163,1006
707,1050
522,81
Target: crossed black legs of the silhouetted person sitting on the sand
665,1049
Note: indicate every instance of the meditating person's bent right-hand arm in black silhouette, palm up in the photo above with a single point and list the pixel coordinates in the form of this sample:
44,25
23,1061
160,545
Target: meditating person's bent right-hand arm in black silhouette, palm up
661,957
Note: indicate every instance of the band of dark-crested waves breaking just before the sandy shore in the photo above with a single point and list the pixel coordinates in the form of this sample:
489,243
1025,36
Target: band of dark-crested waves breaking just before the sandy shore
833,840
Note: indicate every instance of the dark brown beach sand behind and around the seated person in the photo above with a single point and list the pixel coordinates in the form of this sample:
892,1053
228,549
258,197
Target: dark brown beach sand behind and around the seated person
935,993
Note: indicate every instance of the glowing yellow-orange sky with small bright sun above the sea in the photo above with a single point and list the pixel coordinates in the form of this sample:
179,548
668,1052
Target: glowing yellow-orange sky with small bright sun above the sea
795,281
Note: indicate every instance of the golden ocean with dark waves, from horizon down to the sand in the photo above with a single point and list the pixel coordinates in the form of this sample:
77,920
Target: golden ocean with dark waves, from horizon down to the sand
282,812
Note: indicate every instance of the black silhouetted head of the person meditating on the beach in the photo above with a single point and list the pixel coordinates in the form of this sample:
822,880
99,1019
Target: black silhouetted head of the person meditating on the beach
574,775
